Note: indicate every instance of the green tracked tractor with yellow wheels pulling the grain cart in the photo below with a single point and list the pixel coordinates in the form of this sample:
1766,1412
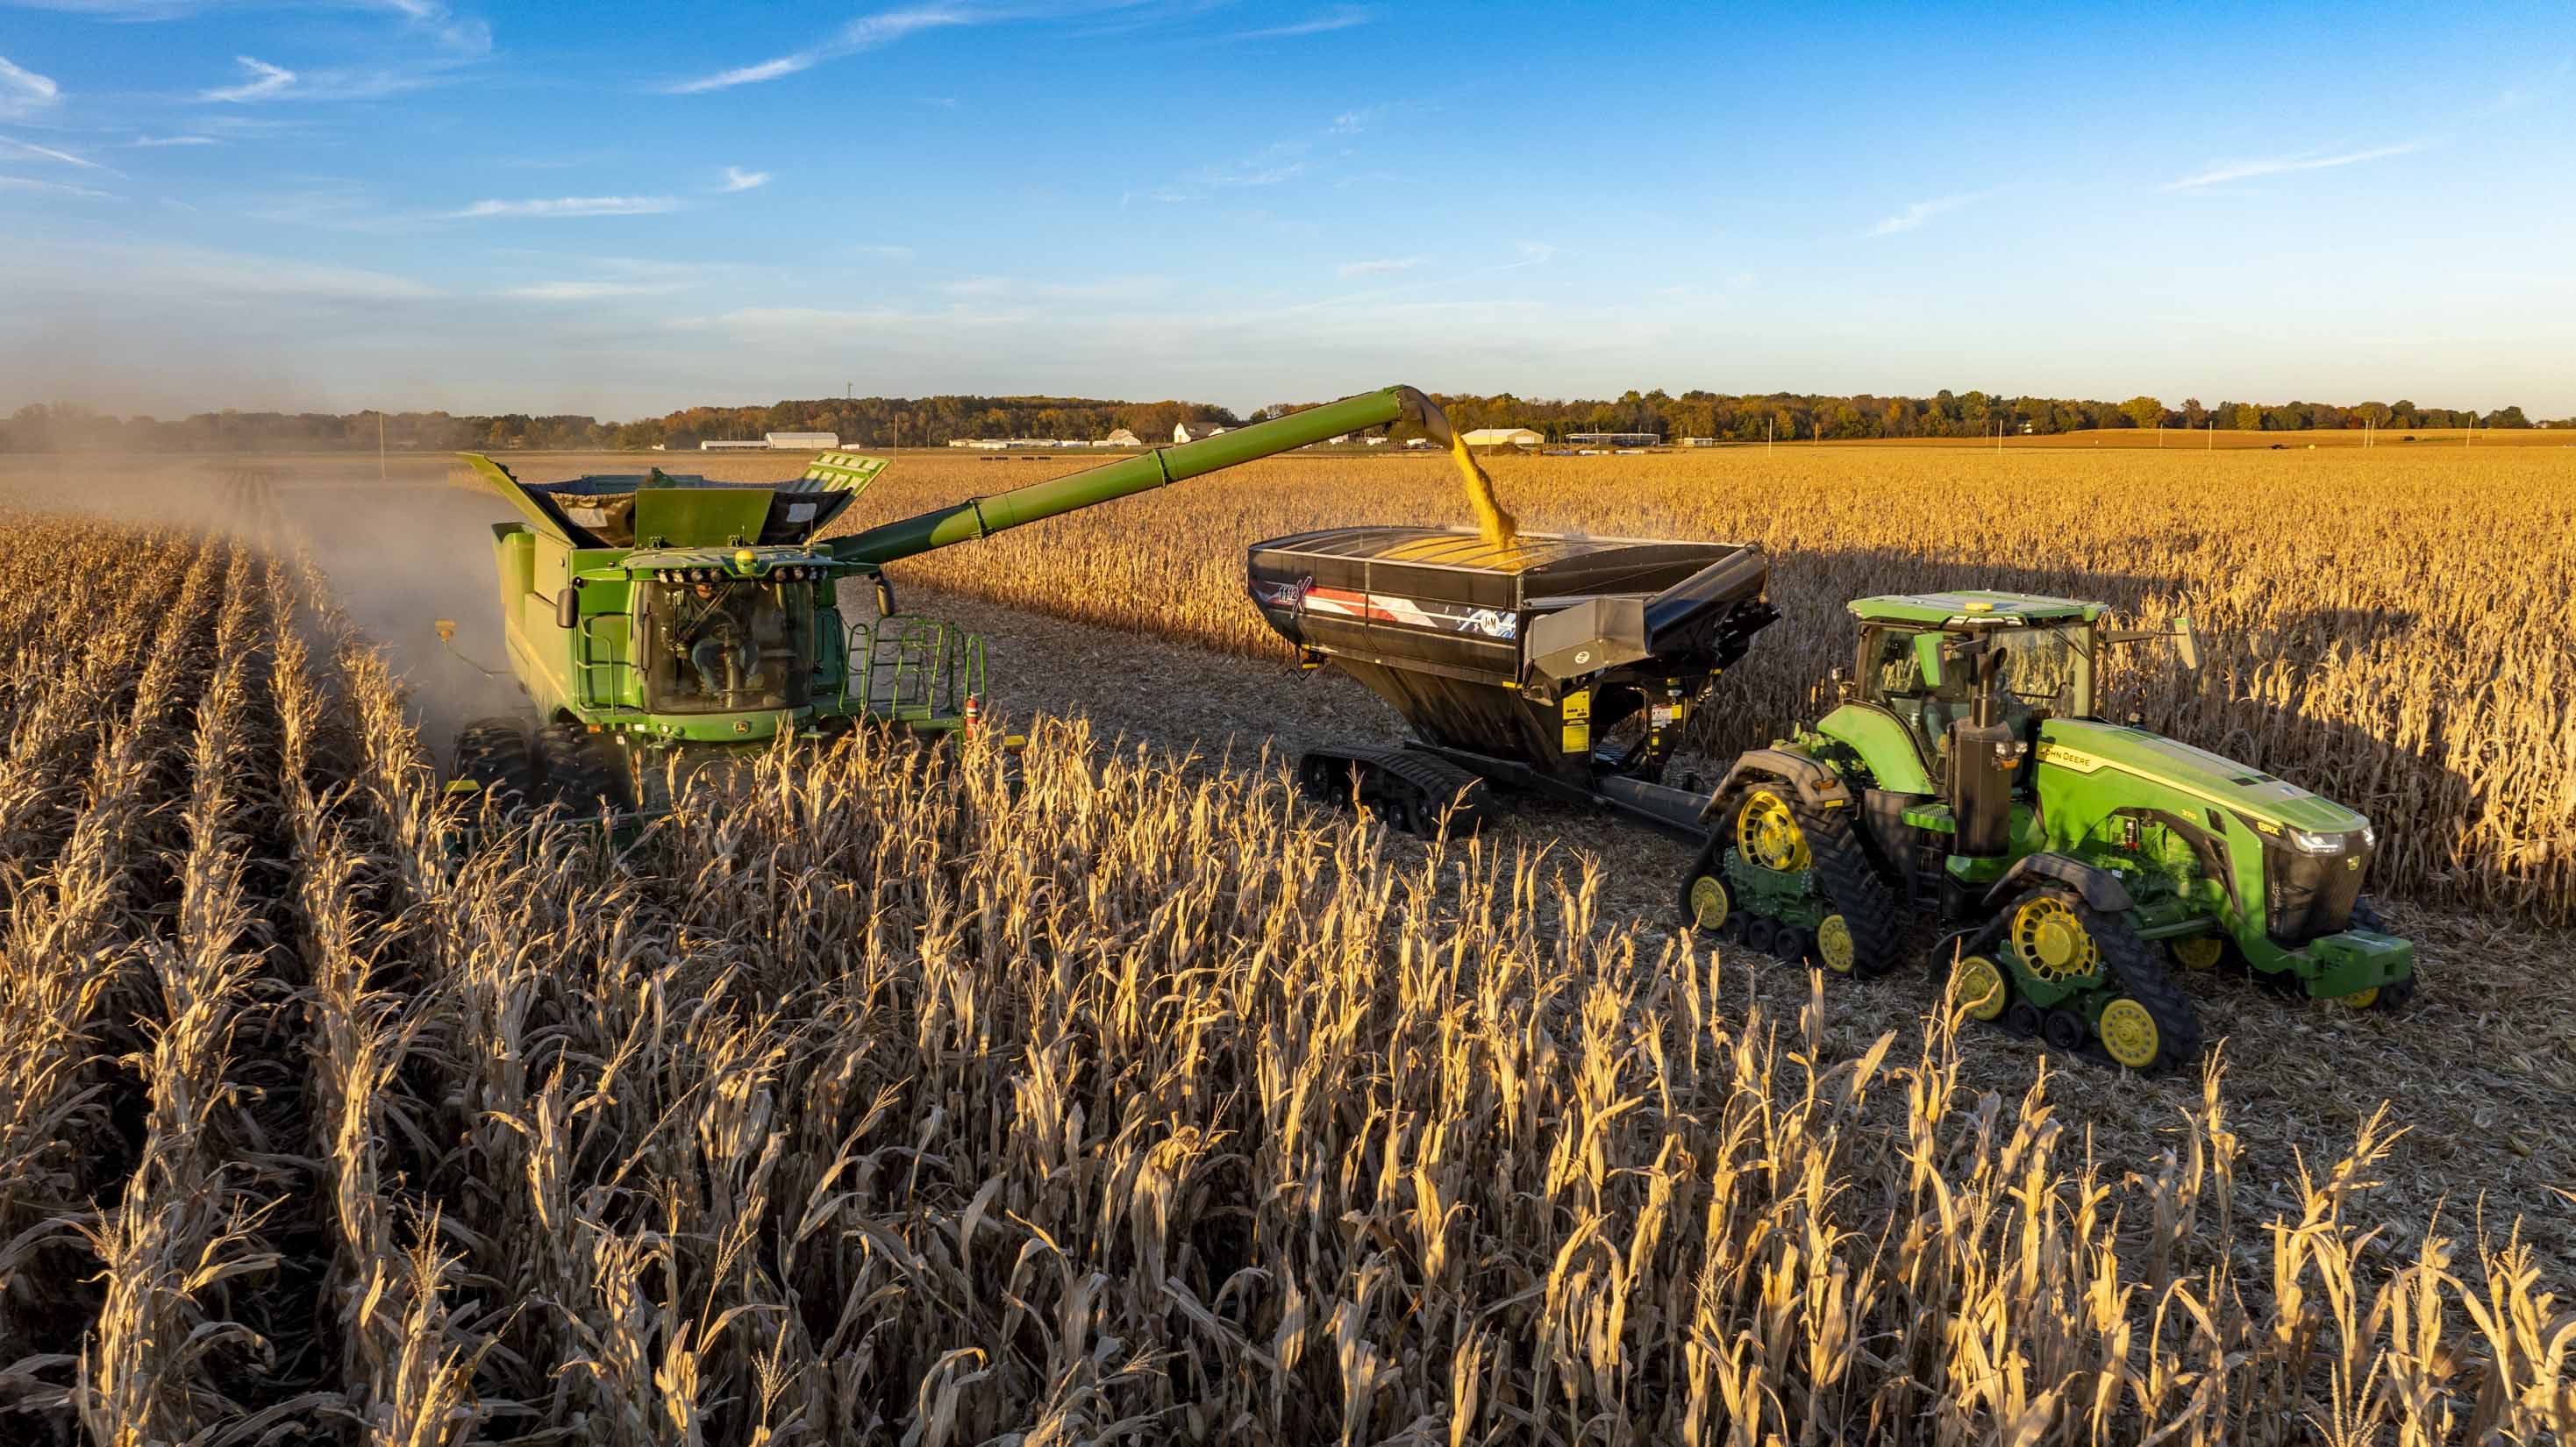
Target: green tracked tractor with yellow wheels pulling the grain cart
1969,779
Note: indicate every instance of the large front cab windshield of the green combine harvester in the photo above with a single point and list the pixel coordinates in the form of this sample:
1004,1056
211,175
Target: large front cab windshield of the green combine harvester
723,648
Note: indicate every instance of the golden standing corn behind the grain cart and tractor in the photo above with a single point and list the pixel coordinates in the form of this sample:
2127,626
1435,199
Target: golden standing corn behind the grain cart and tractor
2387,627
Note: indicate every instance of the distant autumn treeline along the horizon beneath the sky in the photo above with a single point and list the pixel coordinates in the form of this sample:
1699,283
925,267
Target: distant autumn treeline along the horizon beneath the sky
931,421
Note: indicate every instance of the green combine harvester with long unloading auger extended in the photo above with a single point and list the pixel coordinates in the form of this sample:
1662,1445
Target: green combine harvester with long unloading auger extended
656,614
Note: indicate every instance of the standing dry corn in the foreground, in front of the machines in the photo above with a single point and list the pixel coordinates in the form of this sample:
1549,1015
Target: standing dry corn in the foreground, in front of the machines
875,1101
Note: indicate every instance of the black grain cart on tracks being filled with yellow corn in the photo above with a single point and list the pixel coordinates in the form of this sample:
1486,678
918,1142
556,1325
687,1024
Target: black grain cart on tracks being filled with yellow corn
1552,663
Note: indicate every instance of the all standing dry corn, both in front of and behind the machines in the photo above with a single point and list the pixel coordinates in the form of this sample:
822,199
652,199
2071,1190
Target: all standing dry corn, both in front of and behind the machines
875,1101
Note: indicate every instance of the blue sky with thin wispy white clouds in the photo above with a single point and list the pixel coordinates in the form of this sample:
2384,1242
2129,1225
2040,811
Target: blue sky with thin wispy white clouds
622,210
